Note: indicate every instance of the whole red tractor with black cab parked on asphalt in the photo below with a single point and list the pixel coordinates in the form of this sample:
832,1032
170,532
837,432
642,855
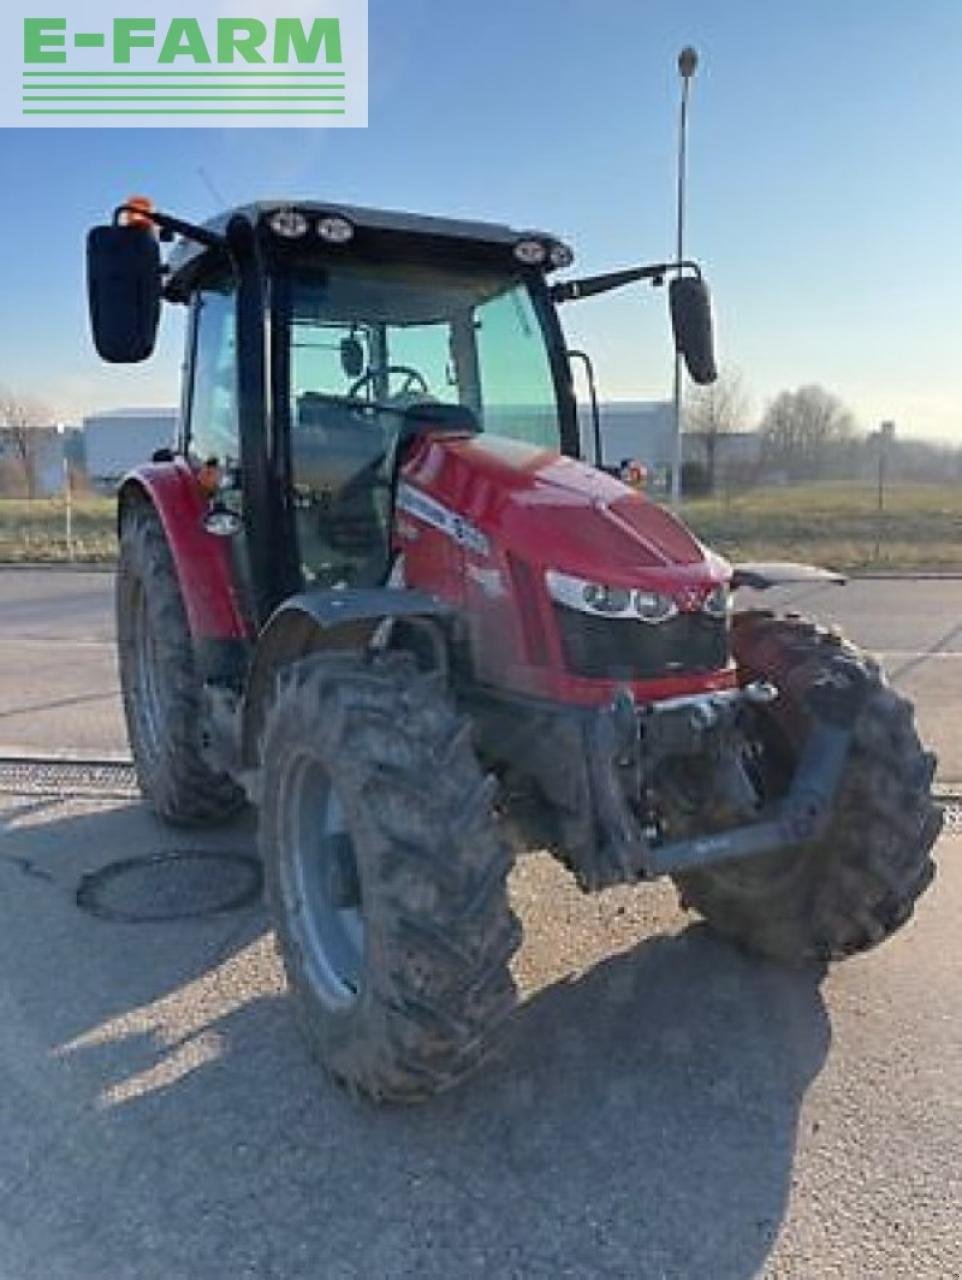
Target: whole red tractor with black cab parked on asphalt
375,592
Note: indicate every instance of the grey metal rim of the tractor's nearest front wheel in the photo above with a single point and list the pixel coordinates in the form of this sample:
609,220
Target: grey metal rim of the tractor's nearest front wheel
322,885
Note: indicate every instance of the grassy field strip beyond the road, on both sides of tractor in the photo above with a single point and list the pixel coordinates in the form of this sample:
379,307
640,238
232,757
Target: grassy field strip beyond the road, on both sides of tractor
837,525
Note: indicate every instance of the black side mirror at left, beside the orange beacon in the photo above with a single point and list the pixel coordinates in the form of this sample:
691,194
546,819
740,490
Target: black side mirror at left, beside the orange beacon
123,290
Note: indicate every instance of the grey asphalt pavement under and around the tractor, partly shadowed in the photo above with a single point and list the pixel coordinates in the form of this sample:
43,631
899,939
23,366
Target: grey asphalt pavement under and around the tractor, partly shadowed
663,1108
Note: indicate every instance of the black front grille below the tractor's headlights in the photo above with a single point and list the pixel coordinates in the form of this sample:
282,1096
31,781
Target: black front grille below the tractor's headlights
621,650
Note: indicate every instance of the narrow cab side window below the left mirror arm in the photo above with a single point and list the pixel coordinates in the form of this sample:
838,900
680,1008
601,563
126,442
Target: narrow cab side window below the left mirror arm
213,429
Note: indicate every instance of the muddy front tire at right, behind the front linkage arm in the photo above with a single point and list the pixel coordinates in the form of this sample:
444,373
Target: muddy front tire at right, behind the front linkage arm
859,884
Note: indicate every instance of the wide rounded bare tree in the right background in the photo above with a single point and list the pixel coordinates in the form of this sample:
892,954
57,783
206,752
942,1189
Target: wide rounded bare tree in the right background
801,431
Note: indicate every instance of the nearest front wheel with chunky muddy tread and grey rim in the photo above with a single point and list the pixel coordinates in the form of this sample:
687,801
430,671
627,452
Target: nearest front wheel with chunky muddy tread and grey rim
386,875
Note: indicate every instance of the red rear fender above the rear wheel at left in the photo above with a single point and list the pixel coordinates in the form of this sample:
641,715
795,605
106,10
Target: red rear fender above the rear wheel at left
203,561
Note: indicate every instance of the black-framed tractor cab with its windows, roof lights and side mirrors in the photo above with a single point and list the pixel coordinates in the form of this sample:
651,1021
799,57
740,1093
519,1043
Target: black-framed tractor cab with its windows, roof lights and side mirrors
323,341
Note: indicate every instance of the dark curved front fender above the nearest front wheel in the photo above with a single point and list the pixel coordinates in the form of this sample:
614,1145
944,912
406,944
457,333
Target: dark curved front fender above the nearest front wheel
318,621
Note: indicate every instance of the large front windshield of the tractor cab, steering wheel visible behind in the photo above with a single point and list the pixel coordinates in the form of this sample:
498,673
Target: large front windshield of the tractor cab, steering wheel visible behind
368,342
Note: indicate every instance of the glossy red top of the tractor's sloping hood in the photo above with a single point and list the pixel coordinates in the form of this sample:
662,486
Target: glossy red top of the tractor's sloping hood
557,513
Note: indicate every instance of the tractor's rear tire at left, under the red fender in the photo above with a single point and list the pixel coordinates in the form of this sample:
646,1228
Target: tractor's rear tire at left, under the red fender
162,691
